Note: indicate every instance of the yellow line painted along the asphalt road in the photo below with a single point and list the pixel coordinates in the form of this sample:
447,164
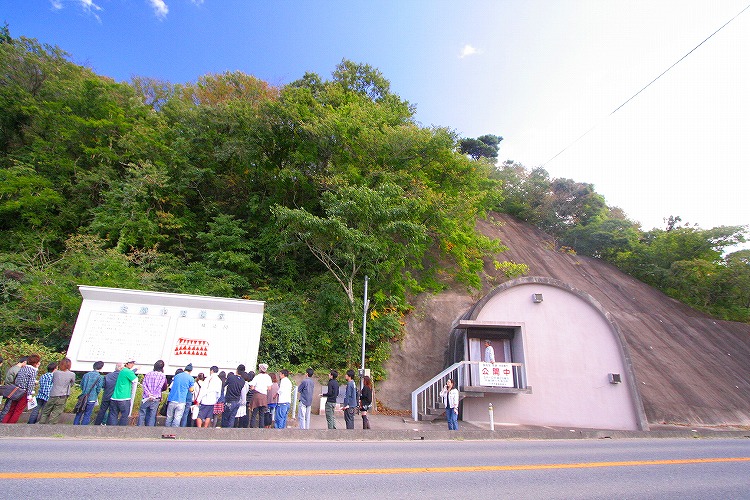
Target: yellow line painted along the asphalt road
334,472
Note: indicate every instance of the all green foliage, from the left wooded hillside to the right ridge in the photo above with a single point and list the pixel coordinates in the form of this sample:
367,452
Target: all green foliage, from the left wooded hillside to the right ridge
229,186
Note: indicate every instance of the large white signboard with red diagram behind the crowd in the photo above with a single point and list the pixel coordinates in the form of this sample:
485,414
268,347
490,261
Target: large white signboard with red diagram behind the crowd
120,325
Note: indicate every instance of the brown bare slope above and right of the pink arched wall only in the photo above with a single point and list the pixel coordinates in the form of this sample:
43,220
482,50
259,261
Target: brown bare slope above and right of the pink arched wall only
691,369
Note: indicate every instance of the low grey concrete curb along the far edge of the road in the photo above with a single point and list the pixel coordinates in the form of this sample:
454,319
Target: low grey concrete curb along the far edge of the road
63,431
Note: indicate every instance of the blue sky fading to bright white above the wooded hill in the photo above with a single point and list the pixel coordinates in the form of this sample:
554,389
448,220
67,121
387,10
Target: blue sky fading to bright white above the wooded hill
547,76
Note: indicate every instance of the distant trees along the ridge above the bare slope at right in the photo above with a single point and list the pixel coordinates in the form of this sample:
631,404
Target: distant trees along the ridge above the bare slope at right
686,262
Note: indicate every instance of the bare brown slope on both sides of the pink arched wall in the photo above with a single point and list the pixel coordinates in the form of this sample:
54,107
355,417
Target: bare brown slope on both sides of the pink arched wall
690,368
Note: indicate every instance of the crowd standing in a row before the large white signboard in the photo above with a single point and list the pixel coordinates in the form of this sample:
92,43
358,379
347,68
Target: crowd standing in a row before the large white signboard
234,399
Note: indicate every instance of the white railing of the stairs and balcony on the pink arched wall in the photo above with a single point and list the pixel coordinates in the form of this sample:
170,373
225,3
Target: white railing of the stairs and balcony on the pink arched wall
428,394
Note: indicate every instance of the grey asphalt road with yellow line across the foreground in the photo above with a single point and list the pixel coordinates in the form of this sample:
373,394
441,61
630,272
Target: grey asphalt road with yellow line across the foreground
570,469
